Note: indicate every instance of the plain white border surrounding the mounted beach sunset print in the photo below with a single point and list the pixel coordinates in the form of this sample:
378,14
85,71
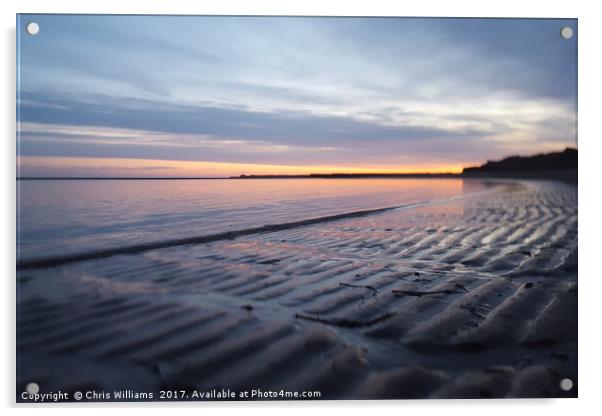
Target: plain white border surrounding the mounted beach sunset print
590,152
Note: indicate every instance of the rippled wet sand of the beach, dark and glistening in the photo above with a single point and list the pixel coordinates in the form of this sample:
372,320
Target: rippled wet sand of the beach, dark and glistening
469,297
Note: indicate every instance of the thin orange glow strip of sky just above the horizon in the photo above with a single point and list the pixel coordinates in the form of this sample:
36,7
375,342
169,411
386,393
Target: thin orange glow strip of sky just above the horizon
112,167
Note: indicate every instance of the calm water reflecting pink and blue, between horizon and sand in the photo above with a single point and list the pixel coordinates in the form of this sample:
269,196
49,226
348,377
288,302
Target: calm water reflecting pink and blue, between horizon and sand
58,217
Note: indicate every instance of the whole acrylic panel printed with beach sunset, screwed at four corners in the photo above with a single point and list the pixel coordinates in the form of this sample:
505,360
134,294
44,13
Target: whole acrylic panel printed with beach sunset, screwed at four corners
295,208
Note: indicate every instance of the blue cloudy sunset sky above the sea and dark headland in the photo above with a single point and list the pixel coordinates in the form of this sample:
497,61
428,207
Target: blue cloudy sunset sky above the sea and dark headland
168,96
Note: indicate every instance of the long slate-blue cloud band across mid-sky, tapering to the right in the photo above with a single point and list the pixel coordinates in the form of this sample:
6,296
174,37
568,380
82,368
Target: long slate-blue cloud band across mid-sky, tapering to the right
284,127
